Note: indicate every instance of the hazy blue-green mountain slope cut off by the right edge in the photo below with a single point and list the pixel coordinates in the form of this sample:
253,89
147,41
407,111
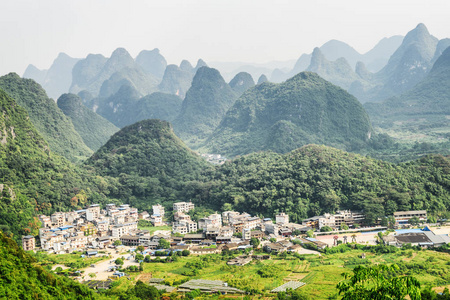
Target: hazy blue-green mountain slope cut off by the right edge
419,117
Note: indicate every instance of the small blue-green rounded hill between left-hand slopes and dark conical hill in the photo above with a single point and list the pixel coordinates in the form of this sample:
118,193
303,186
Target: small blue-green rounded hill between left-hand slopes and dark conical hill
93,129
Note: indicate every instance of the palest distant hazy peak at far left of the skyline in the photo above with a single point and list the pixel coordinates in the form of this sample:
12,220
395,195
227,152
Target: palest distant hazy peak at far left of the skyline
57,79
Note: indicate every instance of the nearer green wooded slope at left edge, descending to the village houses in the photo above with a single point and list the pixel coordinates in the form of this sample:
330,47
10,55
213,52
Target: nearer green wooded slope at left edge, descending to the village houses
33,179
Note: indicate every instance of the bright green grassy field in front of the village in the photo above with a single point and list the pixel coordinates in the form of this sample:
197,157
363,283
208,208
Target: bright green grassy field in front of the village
321,273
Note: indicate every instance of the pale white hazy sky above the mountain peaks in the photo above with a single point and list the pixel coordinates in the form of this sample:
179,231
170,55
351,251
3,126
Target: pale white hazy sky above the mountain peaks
35,31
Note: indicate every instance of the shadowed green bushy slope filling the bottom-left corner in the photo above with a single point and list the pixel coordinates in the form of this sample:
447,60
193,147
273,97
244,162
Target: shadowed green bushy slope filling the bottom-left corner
20,278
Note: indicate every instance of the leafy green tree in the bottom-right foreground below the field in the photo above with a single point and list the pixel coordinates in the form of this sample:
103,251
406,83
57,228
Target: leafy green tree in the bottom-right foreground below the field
380,282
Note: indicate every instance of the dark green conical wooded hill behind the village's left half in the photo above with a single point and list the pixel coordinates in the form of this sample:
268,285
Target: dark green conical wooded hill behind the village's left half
149,163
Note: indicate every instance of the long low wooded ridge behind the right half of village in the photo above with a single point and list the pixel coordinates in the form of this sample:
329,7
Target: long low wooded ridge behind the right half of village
315,179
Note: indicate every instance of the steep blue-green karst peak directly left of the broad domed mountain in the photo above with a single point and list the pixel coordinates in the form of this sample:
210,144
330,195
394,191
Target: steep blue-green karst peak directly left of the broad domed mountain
205,104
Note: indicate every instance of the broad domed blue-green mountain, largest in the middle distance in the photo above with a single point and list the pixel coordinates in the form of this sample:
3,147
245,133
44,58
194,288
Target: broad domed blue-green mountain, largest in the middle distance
281,117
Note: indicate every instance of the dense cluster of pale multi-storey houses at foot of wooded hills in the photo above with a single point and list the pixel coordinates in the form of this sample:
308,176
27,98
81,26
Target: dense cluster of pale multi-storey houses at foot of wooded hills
93,227
